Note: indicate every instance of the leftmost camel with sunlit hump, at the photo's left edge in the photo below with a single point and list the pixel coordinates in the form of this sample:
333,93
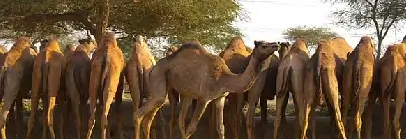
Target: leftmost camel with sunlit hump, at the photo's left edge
16,81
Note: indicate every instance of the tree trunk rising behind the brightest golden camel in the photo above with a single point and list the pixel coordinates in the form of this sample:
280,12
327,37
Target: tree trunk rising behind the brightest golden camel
102,23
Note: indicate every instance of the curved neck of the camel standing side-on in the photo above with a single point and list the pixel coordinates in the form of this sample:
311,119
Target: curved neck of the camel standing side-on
242,82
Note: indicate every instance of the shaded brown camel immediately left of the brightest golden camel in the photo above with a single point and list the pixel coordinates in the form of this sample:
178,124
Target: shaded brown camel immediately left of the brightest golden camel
77,83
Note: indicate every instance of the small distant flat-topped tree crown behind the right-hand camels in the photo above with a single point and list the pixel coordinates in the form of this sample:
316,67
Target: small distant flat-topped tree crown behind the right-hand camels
311,34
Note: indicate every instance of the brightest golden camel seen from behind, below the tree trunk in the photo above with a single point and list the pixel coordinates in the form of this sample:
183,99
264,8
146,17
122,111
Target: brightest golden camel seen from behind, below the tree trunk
106,82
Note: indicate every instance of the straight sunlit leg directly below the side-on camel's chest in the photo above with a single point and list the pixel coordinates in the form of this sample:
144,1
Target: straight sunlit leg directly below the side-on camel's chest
219,103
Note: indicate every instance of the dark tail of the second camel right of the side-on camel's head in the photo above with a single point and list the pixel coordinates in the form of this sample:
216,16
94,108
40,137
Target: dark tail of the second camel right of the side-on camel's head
317,79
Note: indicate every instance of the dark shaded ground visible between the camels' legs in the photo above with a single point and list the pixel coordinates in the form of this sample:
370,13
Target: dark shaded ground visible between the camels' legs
263,131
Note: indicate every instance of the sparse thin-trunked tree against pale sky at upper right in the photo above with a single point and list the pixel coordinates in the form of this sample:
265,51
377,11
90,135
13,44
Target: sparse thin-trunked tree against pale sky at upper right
382,15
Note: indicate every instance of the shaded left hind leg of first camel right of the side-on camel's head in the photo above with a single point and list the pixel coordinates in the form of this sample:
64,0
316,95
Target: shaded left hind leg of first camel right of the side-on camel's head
279,102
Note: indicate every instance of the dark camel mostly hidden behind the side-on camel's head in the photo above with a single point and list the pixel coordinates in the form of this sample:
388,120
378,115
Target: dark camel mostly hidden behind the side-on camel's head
264,89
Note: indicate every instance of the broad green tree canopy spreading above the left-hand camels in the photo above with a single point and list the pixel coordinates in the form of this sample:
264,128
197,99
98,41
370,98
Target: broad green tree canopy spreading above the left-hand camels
179,20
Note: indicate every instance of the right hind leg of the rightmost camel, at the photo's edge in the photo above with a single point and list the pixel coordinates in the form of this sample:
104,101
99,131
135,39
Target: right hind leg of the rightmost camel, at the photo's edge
399,99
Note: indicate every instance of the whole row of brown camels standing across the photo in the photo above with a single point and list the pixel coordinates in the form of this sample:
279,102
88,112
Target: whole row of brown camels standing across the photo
191,75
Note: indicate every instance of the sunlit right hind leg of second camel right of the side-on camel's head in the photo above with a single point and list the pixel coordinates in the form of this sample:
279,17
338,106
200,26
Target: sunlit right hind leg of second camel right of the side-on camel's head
330,89
